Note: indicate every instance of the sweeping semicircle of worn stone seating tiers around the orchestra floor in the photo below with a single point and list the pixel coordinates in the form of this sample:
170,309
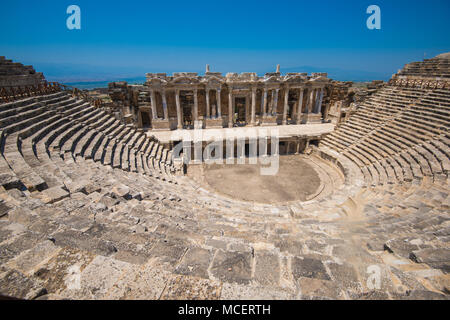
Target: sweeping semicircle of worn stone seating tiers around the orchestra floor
104,211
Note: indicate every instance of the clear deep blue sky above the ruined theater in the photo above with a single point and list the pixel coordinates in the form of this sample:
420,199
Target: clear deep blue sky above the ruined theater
129,38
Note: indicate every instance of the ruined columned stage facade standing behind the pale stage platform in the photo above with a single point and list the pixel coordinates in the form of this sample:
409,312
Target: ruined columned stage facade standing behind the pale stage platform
216,101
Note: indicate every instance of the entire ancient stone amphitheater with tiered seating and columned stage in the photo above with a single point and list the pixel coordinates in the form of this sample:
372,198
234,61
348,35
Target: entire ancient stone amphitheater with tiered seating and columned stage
93,206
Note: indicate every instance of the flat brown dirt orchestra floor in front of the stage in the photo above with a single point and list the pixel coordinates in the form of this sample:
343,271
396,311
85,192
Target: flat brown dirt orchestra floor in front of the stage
295,180
